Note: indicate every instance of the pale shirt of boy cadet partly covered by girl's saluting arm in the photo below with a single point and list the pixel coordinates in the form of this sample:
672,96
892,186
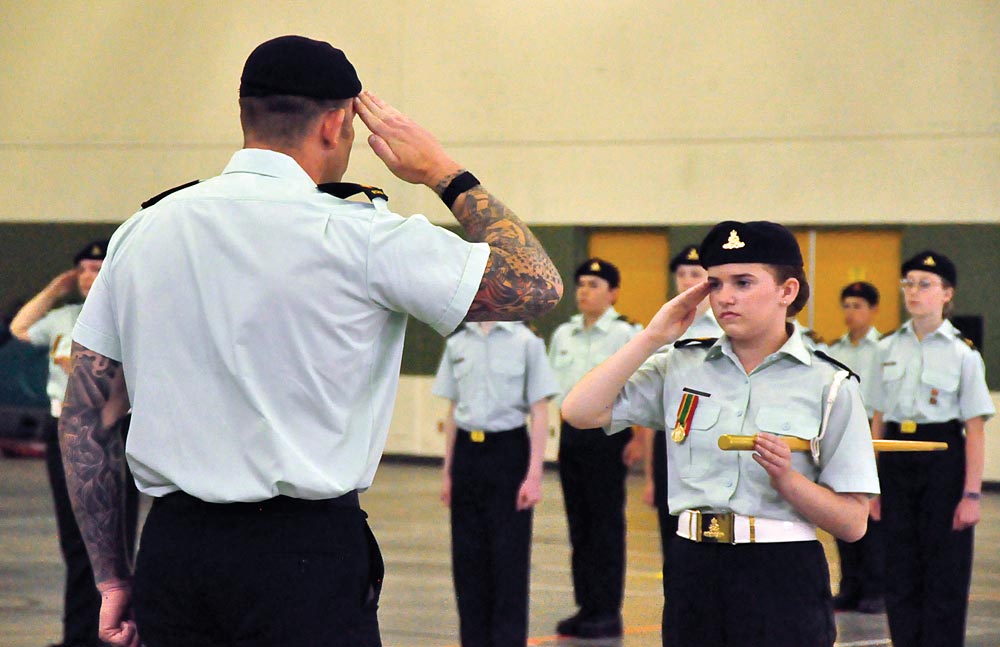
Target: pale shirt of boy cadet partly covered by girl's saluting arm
574,349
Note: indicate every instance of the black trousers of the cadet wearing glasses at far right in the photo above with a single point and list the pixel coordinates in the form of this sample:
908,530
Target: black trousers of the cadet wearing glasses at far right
929,565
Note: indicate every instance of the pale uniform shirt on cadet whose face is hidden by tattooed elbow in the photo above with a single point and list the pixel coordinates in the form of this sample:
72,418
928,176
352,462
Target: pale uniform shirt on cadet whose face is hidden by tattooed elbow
494,378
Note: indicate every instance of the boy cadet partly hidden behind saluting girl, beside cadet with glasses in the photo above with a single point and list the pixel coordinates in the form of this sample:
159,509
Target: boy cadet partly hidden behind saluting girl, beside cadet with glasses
862,564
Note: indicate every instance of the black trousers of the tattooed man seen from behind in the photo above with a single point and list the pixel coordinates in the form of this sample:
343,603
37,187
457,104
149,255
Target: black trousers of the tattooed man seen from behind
277,573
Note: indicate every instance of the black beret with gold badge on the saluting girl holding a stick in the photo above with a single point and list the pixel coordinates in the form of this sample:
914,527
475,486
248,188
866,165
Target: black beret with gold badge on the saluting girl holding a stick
750,242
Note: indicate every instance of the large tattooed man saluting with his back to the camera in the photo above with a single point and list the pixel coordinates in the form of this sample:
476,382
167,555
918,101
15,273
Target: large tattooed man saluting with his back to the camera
255,324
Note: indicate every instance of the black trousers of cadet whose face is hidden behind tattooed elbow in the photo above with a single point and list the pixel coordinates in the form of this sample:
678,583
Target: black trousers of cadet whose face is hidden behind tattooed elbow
490,538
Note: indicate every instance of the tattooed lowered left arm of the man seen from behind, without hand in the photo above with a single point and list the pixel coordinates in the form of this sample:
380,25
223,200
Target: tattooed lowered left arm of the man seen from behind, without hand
90,436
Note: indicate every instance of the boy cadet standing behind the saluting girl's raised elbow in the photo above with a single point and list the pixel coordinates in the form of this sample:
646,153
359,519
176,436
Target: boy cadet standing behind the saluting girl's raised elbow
592,464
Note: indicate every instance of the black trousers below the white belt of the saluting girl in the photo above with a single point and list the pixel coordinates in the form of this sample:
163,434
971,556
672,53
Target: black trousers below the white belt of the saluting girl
749,595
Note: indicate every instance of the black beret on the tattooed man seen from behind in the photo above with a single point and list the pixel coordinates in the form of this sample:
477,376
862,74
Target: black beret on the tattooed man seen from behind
299,66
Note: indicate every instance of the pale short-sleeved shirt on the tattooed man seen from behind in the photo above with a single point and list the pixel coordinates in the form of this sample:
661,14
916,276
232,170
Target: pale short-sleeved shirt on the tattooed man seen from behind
260,325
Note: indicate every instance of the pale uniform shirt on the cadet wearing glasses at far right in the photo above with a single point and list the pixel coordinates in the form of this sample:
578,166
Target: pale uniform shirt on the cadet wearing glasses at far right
937,379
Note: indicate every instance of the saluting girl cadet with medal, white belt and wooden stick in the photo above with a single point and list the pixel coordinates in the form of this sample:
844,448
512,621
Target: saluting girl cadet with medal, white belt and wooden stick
751,571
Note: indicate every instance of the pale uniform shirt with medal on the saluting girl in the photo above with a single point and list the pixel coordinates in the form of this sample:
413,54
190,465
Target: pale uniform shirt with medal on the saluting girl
785,395
